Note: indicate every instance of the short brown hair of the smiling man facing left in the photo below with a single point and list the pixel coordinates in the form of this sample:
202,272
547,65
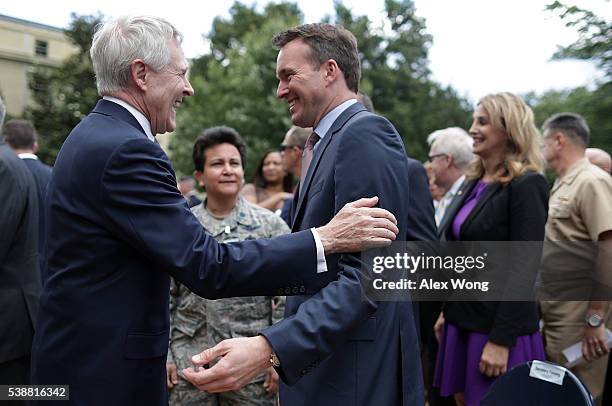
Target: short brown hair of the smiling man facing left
327,41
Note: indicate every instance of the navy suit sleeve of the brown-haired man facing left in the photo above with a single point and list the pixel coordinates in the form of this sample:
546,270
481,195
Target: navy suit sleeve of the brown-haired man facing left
370,161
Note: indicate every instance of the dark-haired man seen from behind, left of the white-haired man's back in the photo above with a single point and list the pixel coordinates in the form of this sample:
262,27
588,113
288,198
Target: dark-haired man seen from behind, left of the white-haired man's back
21,137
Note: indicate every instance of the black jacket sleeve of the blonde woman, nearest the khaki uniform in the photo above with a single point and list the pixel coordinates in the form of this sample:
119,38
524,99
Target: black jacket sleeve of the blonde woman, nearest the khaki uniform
527,213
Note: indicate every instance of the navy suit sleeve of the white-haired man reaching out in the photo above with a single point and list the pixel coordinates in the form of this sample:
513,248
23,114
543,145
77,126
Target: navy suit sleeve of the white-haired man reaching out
140,200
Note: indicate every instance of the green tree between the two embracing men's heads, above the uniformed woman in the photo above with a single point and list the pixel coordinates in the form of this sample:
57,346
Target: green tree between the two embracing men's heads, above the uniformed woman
235,84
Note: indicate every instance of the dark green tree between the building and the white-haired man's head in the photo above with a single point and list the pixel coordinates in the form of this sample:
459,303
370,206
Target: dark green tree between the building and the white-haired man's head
64,95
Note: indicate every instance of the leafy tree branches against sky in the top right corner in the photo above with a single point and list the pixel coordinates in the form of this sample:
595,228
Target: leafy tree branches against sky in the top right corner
595,36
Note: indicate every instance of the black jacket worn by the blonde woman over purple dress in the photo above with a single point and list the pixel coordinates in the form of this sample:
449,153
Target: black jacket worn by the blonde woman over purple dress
513,212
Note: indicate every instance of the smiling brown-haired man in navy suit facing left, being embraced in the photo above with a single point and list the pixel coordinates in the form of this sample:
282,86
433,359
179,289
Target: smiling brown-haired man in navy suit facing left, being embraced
338,347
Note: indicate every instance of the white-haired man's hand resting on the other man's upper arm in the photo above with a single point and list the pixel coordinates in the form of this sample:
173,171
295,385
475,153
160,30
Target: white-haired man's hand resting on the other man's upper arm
358,226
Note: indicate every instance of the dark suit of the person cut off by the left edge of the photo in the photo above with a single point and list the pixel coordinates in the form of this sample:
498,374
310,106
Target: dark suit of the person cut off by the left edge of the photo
19,276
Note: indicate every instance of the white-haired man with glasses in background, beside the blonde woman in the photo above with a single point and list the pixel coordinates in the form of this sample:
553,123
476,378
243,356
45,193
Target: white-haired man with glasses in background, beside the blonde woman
449,155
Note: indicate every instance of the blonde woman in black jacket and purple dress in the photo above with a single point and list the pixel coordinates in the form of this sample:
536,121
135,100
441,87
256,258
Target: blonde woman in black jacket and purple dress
504,198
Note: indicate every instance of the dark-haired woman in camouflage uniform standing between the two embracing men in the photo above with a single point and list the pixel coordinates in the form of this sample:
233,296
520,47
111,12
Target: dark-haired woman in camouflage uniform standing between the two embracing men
196,323
